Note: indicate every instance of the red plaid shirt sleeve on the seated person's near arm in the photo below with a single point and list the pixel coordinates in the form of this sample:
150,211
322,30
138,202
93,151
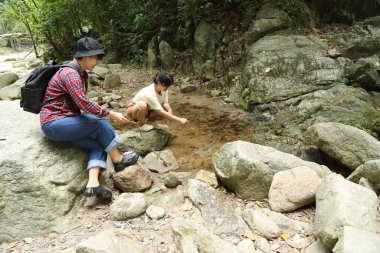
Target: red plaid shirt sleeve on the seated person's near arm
76,89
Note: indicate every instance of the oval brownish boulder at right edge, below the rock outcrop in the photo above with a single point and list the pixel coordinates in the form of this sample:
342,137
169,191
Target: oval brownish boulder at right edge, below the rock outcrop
348,145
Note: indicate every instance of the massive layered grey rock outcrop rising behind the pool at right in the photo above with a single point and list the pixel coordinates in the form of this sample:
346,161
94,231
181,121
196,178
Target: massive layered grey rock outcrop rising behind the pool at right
290,82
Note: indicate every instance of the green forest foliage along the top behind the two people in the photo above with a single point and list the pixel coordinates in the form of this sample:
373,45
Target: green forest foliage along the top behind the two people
124,27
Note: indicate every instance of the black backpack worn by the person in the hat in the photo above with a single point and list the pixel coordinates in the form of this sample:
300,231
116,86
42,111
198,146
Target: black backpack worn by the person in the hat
33,91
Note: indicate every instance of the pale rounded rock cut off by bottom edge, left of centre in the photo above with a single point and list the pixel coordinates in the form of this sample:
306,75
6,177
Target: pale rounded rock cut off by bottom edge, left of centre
111,241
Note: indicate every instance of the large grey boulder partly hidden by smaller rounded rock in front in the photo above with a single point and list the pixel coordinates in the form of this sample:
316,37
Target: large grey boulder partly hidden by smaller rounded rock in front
248,168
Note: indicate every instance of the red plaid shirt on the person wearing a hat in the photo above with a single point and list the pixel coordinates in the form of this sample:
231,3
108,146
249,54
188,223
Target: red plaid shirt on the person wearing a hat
66,96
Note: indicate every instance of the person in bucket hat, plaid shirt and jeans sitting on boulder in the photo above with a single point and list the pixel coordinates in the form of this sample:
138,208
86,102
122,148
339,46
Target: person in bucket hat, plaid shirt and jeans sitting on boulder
62,120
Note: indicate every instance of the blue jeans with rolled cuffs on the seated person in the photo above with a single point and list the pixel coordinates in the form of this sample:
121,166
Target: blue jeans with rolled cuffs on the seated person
94,135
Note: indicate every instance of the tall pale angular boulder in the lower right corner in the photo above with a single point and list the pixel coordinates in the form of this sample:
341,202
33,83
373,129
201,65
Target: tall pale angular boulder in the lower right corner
342,203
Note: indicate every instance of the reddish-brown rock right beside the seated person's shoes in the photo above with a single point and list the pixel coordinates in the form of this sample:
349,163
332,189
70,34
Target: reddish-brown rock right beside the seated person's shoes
134,178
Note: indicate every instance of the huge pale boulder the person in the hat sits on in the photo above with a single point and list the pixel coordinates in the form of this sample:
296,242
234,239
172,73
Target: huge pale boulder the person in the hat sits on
40,181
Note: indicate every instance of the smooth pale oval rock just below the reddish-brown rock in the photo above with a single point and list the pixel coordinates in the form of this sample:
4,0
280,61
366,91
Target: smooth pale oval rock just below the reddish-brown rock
128,206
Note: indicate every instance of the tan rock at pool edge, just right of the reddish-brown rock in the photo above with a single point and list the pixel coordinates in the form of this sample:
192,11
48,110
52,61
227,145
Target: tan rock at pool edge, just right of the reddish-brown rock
161,161
